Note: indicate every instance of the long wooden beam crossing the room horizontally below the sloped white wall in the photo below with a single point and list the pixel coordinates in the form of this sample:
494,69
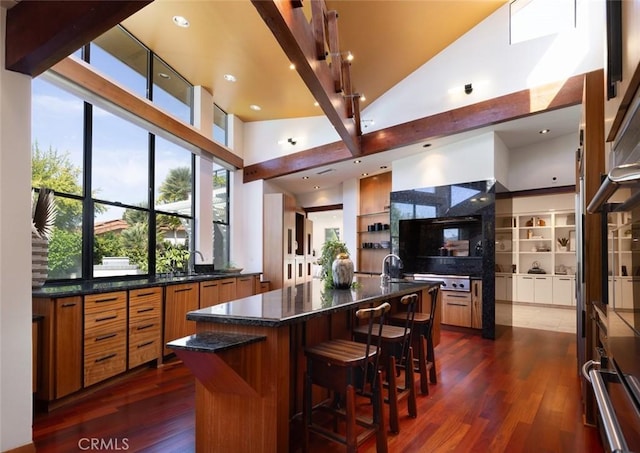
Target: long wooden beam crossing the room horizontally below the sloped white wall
486,113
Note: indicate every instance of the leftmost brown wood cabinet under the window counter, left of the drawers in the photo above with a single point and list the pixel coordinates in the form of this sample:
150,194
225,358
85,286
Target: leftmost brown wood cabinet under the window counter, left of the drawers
61,358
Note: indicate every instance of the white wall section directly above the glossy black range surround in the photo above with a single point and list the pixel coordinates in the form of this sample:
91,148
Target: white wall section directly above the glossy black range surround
464,161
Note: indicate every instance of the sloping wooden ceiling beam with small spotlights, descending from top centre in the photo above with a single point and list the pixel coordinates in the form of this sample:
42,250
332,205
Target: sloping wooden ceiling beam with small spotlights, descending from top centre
291,29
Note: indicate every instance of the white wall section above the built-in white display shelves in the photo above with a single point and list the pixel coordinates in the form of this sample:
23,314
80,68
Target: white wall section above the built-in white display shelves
535,166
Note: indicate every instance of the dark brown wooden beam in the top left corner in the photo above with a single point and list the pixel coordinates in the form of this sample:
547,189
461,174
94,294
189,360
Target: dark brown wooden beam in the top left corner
41,33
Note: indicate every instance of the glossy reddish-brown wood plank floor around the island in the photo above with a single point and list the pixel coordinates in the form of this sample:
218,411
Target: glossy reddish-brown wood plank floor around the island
519,393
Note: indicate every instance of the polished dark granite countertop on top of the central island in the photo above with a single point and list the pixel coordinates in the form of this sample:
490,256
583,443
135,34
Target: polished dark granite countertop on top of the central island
298,303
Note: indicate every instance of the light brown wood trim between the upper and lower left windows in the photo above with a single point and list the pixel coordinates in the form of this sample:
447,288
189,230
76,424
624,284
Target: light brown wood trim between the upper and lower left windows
87,78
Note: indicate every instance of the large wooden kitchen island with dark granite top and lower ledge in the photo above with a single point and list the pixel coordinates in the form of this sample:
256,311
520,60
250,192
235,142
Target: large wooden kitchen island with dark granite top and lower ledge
248,357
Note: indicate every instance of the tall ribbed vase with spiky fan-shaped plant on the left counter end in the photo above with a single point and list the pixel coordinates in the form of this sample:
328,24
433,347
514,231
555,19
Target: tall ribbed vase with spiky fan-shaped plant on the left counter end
43,215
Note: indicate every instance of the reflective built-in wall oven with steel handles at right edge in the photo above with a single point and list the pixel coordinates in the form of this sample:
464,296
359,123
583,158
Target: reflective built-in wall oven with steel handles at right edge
615,372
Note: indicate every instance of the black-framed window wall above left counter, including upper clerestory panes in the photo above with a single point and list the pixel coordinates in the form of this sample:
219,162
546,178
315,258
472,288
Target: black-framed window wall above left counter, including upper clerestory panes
124,196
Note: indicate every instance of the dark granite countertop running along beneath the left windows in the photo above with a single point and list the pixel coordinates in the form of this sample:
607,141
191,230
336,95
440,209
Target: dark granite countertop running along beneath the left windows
105,286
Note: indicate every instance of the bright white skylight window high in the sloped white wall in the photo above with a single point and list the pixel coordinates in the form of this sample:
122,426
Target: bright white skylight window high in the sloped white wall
531,19
